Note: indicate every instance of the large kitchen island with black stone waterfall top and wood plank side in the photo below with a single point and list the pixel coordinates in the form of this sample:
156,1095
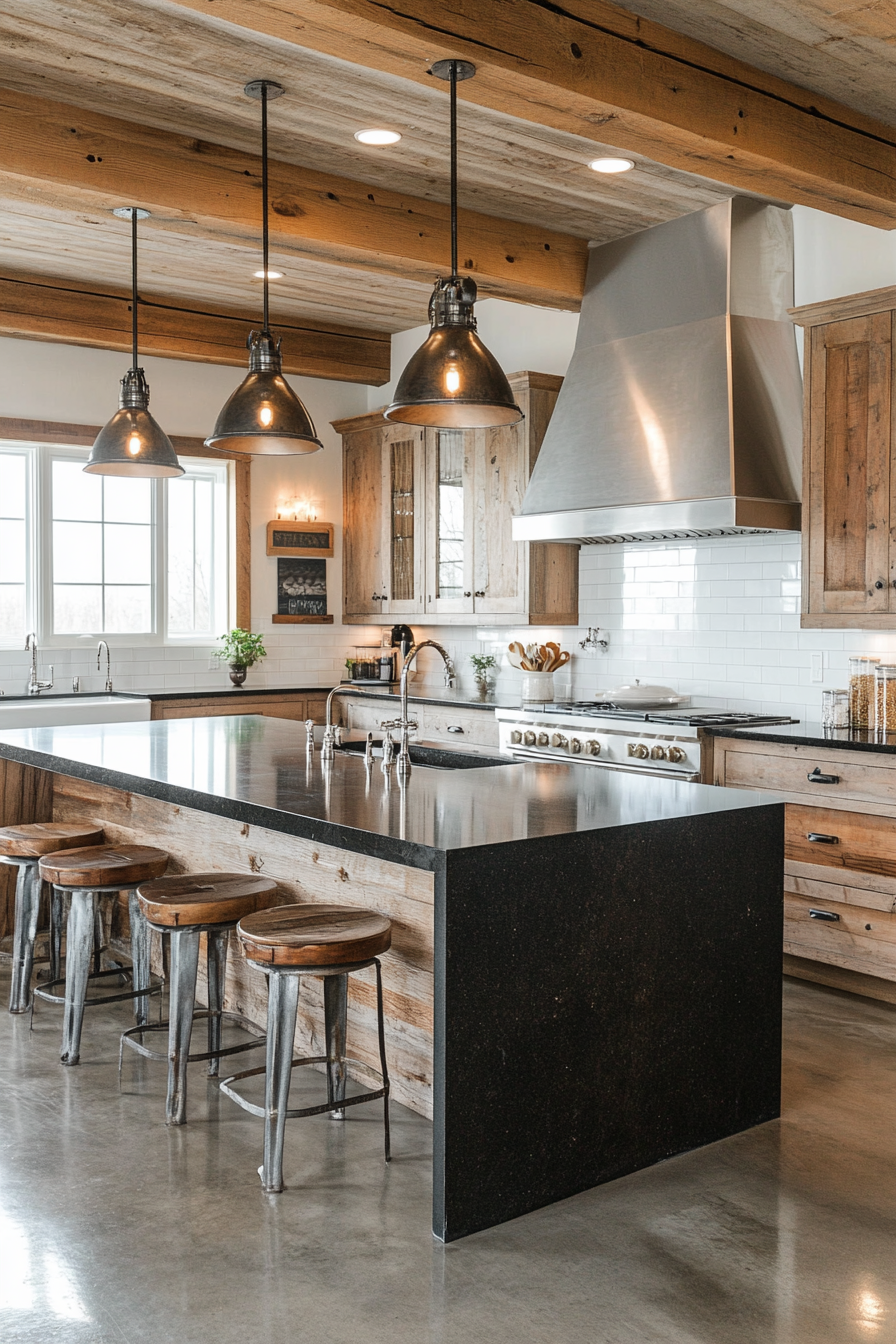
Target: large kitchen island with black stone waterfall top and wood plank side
585,974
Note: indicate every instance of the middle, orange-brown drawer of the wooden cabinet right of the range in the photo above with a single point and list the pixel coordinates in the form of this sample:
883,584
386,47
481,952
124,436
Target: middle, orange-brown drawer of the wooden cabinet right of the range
838,839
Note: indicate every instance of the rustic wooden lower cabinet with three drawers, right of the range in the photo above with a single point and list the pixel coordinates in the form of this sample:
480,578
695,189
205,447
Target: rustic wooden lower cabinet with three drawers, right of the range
840,857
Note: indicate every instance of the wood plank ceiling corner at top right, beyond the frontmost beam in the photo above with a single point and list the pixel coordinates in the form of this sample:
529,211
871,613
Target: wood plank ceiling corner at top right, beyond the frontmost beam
844,49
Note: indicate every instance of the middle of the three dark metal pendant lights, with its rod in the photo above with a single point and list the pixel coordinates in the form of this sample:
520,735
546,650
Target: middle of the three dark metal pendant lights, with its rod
264,417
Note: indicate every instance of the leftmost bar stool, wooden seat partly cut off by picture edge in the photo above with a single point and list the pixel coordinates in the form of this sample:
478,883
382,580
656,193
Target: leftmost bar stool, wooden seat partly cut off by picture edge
24,847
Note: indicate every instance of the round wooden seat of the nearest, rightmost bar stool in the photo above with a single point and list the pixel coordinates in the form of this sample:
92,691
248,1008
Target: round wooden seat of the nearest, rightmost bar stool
315,936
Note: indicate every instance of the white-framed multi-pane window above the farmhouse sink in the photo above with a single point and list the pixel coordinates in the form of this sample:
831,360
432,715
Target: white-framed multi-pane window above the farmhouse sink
132,561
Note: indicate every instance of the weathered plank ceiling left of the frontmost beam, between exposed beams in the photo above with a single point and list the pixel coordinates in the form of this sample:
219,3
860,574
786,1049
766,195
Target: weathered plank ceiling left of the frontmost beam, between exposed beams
152,62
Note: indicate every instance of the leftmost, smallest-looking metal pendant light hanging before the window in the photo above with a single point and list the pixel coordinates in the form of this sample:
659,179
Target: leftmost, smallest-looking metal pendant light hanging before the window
132,444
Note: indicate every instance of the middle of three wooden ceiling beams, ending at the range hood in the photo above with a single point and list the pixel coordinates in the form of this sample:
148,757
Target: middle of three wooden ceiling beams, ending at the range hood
208,190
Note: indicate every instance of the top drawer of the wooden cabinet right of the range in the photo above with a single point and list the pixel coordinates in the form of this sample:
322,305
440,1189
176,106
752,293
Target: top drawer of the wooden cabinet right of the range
834,775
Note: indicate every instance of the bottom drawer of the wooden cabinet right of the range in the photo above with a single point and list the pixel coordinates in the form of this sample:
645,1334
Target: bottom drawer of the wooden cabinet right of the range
859,939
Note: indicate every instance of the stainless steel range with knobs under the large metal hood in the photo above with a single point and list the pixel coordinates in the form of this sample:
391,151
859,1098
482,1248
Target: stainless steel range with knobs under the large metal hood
662,743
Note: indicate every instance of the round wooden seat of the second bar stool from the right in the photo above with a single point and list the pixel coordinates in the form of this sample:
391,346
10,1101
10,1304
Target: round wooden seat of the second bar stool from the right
205,898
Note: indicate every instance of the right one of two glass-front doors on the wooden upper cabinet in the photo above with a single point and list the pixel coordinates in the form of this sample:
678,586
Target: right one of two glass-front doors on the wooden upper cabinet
449,550
